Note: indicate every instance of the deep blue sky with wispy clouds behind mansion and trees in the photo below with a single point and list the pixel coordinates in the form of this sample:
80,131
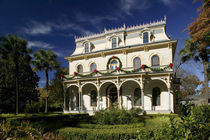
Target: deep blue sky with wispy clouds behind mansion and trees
52,24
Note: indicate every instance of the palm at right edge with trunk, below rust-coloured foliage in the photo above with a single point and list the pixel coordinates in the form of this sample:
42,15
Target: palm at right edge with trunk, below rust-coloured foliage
191,51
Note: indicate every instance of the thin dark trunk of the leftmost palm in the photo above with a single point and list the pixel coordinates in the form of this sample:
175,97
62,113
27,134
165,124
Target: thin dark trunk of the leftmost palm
16,88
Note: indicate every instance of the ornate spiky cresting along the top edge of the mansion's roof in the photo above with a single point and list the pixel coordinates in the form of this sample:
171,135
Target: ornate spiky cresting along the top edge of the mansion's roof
121,29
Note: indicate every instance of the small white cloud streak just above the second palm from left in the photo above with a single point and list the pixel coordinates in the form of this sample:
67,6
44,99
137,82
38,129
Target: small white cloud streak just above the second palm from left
39,44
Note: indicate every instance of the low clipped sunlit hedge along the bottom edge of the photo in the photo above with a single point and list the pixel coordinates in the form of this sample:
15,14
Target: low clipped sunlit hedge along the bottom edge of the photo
101,134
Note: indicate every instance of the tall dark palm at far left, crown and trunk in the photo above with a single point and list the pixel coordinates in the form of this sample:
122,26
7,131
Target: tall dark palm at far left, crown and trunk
14,51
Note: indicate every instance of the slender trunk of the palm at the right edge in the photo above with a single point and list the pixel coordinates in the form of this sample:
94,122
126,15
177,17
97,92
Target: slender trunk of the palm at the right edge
206,88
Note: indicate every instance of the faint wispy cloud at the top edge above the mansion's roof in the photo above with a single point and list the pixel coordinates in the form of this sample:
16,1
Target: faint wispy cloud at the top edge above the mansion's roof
128,5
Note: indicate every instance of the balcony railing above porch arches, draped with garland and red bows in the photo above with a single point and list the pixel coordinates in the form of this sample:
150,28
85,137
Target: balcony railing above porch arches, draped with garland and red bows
119,71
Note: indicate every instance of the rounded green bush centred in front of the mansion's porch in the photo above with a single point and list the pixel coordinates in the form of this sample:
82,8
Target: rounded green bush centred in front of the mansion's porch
114,116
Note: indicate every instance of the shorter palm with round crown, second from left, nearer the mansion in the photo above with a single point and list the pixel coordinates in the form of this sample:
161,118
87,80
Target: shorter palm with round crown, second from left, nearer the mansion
45,60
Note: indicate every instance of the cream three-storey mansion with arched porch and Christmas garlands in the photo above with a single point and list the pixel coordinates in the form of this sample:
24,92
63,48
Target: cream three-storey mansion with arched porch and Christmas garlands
126,67
